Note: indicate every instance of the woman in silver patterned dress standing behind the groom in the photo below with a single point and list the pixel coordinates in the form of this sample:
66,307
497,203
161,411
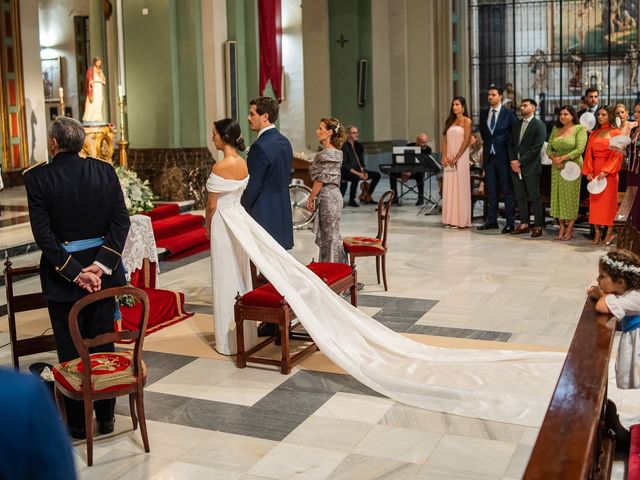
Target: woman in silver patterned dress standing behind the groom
325,197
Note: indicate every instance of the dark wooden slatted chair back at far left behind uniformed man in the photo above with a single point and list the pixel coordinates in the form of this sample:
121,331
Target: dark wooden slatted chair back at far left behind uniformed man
24,303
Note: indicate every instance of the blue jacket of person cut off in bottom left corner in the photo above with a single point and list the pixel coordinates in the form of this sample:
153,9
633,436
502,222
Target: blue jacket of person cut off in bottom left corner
35,444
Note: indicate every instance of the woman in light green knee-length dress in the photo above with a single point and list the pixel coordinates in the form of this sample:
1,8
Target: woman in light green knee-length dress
566,144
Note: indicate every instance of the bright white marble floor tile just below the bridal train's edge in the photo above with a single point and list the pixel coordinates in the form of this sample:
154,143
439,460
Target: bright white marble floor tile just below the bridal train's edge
357,408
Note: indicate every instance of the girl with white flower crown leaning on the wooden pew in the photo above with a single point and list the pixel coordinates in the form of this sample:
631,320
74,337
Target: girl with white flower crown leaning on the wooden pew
618,293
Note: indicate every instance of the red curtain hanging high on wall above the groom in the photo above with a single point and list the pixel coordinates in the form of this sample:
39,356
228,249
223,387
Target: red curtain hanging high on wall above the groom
270,24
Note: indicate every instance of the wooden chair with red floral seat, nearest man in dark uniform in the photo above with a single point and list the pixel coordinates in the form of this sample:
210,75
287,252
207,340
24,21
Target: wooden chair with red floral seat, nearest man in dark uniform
130,373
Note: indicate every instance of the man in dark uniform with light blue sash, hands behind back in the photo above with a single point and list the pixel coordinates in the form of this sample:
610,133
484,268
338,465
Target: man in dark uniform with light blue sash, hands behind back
80,222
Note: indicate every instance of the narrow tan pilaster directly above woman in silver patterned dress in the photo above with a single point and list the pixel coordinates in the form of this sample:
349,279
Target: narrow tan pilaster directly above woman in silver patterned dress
317,80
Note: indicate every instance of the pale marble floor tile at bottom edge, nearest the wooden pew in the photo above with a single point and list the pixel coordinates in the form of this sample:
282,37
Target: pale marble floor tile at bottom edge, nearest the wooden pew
470,456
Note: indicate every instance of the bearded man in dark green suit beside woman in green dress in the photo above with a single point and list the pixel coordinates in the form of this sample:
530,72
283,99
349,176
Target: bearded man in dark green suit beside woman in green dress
527,138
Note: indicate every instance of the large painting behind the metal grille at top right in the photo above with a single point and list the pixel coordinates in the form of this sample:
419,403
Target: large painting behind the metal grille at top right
588,28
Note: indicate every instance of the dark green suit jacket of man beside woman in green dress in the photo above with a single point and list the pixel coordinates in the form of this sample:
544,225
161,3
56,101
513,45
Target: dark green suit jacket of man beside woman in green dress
527,150
